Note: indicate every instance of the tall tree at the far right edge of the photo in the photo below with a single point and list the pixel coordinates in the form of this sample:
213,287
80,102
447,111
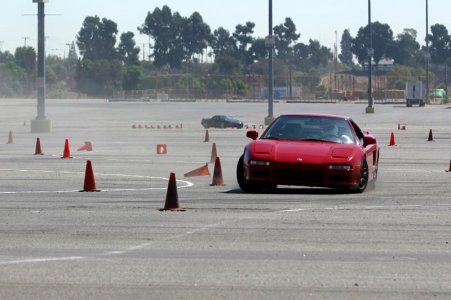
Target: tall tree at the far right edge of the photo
440,43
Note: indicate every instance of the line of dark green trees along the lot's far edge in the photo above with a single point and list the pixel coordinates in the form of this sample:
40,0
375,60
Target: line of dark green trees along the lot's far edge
213,59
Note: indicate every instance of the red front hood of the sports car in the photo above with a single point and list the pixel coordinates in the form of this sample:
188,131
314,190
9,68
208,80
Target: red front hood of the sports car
303,151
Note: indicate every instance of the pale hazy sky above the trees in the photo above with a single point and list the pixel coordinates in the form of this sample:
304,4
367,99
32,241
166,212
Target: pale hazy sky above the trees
316,19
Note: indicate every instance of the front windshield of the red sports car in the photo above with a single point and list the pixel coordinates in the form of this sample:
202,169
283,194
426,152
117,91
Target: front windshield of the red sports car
311,128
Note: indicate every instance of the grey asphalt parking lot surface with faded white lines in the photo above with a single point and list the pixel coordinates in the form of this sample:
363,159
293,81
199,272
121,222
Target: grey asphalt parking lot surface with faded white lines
391,242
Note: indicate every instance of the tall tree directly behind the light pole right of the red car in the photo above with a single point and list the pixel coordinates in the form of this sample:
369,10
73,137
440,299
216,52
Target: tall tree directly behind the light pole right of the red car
382,38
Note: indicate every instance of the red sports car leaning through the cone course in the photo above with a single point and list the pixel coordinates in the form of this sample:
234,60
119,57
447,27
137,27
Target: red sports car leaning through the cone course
309,150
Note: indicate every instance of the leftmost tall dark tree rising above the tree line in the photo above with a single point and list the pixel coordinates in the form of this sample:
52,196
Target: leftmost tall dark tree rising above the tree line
97,39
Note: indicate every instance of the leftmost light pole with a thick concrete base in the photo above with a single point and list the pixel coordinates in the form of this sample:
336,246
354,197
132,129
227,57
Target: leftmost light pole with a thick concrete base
41,124
